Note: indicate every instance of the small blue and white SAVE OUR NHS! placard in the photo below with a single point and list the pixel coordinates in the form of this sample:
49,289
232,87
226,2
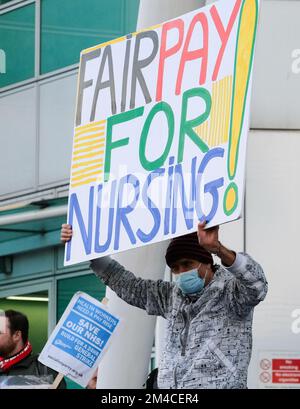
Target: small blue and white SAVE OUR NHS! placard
79,340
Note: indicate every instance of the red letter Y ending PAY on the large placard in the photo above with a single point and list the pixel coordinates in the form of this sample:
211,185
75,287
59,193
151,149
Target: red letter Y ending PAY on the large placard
224,34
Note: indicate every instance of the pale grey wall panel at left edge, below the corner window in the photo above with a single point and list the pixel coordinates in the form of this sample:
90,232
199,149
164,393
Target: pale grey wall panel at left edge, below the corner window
17,141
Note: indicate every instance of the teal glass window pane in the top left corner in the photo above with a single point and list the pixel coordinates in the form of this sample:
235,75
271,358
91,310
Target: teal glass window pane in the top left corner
17,42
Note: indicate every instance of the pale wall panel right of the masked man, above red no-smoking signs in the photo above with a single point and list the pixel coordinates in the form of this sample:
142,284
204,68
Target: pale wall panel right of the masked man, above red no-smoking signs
272,238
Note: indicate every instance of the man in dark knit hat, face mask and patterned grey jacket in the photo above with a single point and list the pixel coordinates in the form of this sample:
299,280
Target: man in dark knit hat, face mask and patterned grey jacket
209,309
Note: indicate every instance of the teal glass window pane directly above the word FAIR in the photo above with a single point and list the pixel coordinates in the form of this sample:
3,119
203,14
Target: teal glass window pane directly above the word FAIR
69,26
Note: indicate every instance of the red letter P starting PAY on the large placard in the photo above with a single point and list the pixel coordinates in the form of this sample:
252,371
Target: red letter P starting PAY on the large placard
164,53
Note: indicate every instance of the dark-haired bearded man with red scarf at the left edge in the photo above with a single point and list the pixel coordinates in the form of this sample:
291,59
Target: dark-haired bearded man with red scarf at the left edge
16,358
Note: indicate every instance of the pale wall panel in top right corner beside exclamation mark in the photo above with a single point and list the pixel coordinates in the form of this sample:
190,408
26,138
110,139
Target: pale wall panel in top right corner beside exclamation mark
276,84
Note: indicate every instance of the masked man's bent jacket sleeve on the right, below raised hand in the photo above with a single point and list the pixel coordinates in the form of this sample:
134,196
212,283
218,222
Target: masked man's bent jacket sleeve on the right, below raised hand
247,287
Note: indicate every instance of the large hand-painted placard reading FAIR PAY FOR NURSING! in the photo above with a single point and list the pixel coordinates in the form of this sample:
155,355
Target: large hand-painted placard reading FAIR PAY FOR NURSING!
161,127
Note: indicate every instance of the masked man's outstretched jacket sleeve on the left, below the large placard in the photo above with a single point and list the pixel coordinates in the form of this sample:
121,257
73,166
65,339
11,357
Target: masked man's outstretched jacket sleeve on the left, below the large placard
152,296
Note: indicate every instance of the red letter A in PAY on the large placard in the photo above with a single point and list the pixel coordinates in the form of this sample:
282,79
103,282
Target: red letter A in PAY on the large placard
195,54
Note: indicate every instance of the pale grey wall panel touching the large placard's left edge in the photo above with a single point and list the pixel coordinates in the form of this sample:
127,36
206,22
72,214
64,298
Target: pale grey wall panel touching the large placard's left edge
57,110
